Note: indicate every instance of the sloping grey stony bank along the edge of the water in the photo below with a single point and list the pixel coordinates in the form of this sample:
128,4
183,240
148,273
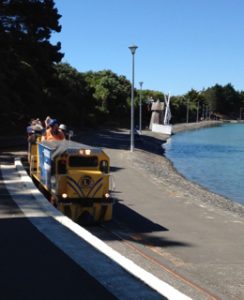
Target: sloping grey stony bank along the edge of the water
164,170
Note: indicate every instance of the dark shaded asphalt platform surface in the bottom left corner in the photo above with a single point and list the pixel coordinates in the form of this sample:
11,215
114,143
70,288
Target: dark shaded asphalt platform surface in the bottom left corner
31,266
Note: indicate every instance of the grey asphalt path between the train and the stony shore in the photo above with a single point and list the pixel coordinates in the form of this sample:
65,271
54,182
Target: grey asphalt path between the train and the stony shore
201,242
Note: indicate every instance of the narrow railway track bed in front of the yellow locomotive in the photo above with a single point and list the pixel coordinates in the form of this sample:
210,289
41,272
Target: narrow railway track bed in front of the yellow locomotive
144,253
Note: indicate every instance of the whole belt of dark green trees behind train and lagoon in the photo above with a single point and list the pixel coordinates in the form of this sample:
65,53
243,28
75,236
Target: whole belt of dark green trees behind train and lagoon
35,83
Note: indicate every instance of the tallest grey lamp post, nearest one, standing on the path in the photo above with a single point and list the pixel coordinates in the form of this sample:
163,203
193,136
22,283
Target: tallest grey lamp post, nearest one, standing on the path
133,51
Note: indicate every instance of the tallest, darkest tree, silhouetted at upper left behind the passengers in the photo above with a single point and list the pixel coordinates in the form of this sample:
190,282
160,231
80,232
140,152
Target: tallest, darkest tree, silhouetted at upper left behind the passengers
27,57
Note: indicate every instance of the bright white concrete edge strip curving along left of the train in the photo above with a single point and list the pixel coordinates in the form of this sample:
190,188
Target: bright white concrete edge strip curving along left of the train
153,282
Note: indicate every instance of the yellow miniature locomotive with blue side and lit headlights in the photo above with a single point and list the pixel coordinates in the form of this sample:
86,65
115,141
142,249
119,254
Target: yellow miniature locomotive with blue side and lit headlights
77,178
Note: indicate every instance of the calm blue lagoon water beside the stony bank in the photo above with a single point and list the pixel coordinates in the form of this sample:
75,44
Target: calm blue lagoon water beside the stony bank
212,157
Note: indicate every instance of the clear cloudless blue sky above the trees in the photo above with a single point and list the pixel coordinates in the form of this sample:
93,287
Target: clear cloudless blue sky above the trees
182,44
